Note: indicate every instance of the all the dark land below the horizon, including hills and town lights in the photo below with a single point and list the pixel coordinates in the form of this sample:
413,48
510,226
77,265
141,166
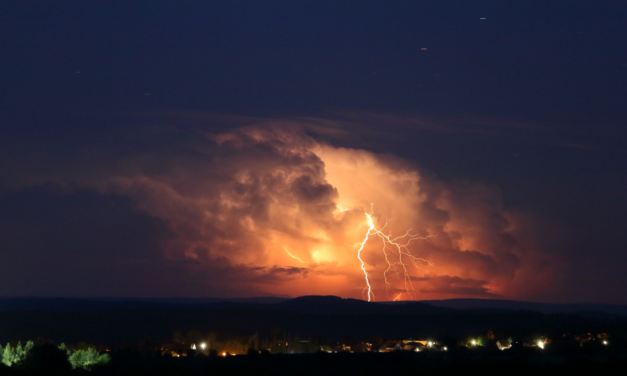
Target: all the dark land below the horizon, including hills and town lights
284,338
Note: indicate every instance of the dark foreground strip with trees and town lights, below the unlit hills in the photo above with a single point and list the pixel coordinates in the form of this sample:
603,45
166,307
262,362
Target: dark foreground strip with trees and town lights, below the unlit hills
193,353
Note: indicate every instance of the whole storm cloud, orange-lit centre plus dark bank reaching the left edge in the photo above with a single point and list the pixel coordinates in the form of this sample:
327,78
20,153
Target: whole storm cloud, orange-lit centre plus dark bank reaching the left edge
264,209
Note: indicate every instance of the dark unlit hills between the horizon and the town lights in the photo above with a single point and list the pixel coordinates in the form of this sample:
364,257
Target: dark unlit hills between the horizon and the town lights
117,320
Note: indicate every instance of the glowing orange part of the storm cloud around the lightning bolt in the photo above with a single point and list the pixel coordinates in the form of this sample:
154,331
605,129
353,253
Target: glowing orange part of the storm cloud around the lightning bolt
274,212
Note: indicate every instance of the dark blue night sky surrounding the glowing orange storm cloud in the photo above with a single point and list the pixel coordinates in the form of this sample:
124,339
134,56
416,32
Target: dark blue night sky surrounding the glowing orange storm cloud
529,97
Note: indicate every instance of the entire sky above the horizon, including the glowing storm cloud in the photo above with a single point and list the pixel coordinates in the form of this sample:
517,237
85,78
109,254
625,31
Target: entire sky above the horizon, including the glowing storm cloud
238,148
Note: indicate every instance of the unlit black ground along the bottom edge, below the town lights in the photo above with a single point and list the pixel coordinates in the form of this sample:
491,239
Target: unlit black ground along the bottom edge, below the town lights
397,363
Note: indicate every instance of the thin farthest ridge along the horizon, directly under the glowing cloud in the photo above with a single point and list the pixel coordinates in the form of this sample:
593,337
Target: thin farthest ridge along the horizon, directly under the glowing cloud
312,304
